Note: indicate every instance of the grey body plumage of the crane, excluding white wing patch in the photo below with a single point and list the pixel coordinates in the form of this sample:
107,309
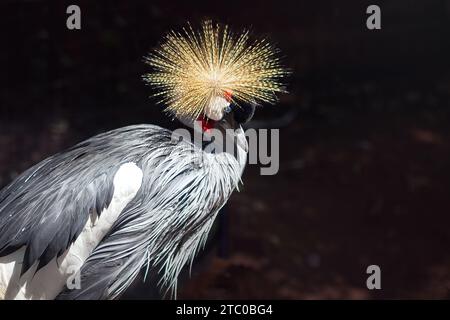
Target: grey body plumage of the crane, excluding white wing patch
164,225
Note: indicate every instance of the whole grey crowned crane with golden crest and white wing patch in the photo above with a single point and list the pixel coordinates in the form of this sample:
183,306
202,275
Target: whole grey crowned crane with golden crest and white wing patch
83,223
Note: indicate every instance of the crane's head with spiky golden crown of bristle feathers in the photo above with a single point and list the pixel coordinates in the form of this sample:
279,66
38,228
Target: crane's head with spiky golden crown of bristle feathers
214,76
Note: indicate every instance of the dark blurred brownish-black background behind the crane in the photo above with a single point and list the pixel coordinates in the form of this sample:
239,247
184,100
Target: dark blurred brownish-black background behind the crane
365,161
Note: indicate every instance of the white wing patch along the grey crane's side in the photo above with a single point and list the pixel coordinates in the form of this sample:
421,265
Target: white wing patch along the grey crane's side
50,280
